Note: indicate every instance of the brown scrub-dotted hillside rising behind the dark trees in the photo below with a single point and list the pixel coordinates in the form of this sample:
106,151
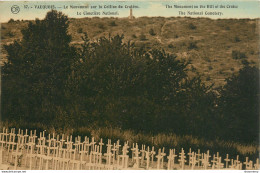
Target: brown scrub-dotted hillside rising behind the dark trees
216,49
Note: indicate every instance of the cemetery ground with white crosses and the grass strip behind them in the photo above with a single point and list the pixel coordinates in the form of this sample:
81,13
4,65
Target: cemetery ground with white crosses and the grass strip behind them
233,154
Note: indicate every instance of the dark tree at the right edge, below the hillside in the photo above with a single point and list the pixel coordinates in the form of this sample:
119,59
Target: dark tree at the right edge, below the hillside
239,105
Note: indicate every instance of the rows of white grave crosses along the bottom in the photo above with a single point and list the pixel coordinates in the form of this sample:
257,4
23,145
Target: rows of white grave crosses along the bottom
27,151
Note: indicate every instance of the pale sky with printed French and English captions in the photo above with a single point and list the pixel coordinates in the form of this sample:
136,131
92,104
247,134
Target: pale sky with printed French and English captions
245,9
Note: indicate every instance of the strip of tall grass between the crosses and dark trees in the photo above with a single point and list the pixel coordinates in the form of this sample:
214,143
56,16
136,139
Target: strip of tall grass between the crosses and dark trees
160,140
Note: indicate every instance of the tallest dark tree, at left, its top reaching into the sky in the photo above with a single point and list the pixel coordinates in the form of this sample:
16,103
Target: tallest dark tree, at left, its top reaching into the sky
35,76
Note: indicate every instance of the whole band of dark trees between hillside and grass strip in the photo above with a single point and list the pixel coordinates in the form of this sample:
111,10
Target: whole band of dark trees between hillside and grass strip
111,83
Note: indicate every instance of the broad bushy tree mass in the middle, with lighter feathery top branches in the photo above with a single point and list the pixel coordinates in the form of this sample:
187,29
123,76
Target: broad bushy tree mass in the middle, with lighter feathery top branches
121,85
